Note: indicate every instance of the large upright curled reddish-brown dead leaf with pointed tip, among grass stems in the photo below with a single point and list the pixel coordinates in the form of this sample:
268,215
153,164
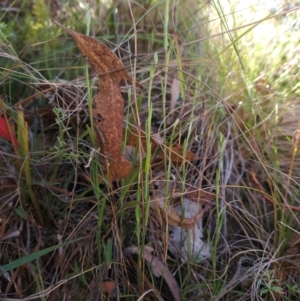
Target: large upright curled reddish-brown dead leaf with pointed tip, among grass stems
108,104
